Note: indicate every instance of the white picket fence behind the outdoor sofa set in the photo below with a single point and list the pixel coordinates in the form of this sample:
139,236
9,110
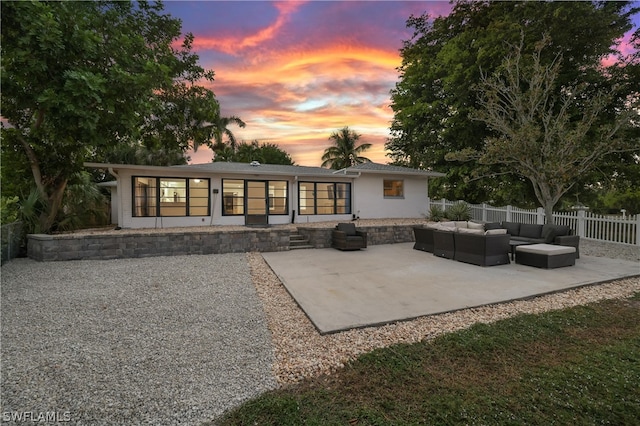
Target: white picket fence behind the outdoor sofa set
616,229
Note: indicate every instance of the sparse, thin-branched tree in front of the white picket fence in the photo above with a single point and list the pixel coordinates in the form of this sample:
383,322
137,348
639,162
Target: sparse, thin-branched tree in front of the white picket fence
546,132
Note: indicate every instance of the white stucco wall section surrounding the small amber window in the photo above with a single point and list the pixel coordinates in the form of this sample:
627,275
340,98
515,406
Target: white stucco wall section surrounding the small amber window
370,202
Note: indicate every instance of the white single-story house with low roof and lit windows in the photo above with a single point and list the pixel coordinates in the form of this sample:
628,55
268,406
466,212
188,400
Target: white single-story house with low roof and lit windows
262,194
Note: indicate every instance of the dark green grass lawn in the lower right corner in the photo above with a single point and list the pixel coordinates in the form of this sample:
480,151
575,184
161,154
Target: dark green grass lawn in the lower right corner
579,366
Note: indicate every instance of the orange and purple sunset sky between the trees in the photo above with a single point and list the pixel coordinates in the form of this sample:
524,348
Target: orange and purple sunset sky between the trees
296,71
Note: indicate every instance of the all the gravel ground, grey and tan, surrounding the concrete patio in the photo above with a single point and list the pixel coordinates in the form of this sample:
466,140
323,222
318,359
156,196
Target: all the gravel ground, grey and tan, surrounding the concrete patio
170,340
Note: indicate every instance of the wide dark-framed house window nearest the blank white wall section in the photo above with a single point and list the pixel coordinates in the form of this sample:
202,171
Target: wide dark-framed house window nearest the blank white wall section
324,198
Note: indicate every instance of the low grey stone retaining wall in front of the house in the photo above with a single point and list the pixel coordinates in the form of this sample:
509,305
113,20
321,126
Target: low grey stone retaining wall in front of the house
46,248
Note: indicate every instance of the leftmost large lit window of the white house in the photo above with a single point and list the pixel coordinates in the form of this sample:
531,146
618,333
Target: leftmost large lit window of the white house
159,196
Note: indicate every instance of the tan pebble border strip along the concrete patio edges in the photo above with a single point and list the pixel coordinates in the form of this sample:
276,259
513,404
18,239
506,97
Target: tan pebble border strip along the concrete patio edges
301,352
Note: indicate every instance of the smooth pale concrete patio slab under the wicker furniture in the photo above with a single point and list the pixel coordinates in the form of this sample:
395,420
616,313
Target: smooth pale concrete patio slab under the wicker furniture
388,283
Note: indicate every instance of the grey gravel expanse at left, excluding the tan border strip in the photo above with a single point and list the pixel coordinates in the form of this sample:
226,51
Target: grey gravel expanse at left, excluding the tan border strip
164,340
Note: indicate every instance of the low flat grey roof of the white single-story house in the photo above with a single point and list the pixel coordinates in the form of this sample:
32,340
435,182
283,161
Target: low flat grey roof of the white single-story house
256,168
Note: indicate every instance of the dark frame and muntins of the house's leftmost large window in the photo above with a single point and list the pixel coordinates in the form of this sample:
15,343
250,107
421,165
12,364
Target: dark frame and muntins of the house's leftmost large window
156,197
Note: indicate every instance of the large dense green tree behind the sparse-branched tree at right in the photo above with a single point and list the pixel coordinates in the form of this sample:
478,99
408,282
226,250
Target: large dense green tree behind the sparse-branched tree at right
435,99
